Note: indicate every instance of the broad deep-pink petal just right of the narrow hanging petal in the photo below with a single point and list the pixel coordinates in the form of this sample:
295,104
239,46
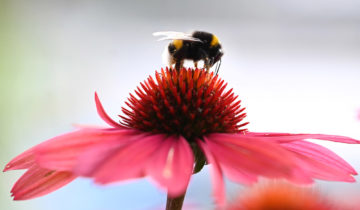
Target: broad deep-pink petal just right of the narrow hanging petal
269,159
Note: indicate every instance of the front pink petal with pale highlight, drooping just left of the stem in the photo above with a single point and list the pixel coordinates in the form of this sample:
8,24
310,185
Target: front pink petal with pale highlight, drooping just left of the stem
172,165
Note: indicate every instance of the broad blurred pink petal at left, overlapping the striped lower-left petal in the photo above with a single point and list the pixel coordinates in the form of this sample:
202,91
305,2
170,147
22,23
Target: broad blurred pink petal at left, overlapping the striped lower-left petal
62,152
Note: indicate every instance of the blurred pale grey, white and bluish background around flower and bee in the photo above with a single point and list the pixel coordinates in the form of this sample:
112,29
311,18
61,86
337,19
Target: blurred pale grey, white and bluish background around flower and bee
294,64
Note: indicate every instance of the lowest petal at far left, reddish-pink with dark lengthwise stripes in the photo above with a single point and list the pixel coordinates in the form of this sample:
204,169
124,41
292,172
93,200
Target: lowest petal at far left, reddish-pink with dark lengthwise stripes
38,182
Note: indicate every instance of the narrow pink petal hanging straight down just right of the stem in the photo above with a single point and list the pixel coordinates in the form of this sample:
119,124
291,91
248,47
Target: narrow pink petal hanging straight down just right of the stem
217,175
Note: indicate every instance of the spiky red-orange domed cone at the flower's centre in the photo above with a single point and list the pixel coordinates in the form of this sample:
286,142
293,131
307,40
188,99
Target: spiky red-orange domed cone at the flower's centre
189,102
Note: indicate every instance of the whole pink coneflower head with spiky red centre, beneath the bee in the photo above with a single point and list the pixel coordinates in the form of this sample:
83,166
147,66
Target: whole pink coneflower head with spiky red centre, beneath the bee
176,121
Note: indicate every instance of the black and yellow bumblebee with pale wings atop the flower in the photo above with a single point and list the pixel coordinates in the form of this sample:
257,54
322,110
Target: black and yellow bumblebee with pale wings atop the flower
199,45
